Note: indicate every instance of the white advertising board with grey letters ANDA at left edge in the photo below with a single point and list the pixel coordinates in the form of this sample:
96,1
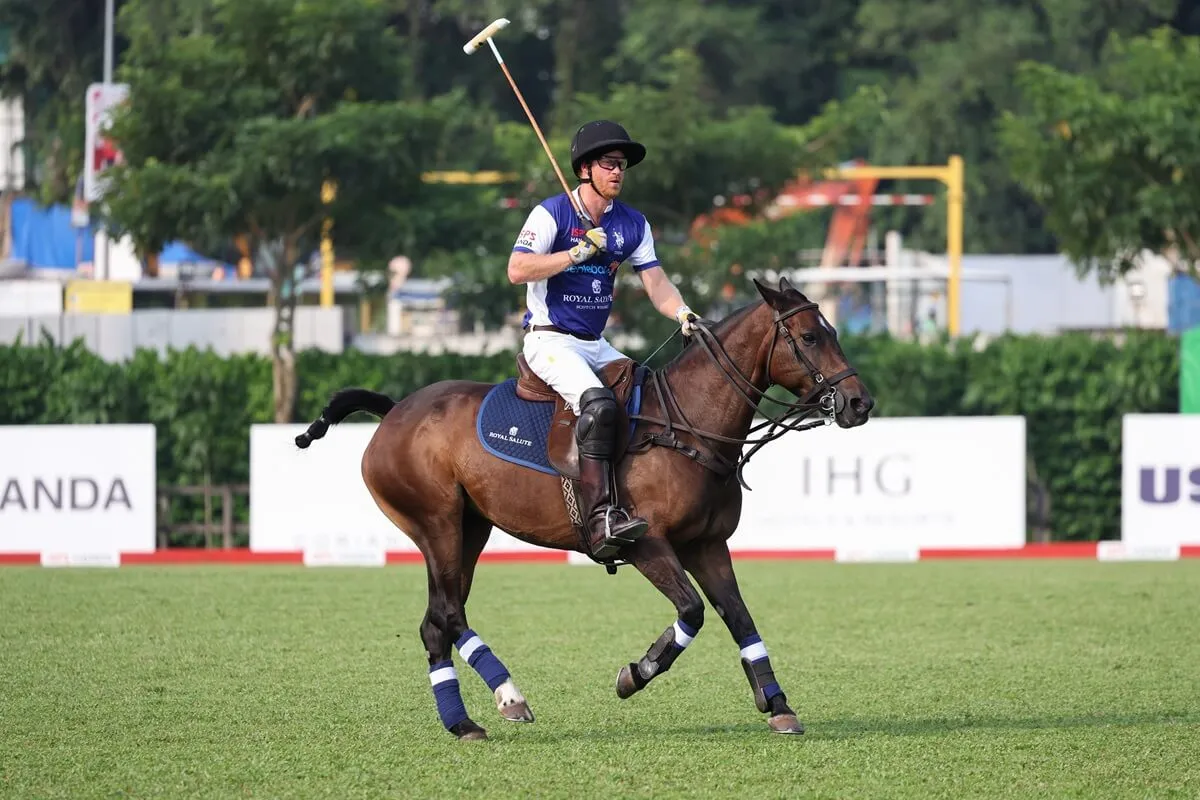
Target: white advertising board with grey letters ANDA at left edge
77,489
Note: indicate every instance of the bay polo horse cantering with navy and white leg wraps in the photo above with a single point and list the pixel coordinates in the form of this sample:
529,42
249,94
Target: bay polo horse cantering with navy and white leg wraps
433,478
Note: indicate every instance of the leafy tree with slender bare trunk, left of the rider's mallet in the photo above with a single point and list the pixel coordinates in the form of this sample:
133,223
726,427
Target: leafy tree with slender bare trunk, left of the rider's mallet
243,128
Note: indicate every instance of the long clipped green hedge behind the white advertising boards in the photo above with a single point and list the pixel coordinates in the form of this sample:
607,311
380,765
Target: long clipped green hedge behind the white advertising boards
1072,389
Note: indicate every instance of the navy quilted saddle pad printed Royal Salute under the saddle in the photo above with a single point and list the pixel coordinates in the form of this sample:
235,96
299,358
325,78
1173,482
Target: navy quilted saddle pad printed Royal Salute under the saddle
517,430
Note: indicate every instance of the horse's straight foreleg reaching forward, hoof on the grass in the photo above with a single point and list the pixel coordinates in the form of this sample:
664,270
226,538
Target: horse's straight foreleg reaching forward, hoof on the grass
710,563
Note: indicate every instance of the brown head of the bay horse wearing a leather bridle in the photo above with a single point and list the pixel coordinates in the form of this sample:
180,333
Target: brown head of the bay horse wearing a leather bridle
811,363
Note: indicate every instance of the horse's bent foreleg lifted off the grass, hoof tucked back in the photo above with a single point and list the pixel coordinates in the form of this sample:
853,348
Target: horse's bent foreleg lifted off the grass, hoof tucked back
656,560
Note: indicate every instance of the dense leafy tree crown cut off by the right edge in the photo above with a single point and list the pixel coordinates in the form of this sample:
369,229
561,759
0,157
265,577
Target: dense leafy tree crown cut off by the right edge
1114,159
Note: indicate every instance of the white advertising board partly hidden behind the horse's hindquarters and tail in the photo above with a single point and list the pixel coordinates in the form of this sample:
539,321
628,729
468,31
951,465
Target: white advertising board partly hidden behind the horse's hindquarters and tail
315,500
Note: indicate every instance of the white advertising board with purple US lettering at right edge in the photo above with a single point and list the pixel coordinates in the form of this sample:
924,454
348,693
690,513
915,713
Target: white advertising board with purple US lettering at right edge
1161,480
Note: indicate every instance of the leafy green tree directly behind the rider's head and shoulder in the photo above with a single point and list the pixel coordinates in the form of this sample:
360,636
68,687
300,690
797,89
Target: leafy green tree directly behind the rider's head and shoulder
700,154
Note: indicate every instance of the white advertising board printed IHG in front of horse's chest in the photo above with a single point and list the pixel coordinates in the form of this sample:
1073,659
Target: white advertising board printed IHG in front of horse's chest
890,488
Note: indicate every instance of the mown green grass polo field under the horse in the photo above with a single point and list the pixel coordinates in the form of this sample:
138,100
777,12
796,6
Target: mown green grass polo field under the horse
935,679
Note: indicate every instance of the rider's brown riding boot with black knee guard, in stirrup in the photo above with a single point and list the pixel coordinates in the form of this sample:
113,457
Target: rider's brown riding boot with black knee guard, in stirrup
609,527
